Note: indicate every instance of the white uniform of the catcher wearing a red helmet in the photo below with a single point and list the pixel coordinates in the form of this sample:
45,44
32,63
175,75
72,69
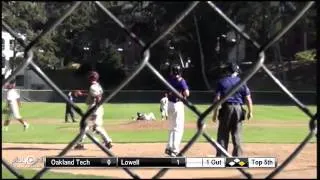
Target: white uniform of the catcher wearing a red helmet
96,119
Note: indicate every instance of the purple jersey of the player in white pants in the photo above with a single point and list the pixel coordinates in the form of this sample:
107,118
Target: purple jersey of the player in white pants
180,86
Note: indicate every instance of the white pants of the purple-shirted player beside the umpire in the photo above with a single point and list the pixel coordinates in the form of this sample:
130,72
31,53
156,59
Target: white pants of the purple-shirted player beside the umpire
176,125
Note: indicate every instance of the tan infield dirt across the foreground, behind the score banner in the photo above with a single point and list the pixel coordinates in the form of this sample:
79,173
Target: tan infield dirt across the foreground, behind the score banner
303,166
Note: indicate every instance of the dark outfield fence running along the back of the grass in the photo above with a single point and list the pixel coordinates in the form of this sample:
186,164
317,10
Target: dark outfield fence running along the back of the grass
151,96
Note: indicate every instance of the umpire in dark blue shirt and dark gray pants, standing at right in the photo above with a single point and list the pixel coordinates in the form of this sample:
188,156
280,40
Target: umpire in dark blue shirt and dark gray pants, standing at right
231,113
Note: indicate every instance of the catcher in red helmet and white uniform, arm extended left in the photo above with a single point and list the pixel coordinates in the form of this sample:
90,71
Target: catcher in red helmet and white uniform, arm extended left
96,119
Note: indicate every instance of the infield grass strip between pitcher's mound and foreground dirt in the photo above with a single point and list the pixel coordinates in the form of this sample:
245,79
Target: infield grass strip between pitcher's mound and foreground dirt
58,134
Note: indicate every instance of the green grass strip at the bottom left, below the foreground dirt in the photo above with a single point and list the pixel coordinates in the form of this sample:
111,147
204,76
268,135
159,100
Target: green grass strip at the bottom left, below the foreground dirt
28,174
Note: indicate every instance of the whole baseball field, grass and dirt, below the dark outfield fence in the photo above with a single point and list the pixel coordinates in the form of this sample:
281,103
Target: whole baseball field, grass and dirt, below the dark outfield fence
274,131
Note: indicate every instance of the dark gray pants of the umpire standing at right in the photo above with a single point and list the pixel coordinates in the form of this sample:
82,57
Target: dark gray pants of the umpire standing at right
230,122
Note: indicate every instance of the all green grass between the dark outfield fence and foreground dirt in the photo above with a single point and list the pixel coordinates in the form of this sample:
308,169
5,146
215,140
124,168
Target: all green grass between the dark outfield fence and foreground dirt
55,131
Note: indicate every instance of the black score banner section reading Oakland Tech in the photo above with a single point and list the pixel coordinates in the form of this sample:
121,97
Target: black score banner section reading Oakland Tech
80,162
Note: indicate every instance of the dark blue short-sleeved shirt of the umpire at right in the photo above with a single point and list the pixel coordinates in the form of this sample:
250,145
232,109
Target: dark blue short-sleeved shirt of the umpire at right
226,83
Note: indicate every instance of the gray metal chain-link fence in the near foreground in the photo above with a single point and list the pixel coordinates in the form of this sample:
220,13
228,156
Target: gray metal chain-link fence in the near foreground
28,56
